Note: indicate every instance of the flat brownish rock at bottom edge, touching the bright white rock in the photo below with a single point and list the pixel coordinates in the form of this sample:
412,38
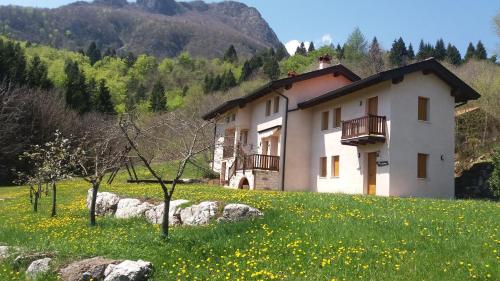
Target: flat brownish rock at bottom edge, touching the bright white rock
85,270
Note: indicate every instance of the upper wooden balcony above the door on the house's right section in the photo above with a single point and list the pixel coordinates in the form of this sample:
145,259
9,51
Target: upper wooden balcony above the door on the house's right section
364,130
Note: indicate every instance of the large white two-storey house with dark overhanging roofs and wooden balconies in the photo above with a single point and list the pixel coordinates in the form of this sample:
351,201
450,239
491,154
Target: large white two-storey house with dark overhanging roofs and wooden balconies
390,134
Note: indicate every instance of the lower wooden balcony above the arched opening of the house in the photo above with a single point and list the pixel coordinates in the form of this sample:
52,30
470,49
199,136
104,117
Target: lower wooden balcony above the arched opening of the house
254,162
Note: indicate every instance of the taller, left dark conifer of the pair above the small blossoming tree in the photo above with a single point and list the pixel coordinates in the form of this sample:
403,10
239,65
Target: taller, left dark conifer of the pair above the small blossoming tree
76,92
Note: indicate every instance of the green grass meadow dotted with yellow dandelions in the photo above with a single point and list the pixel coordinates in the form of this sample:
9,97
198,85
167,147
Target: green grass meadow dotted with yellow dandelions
303,236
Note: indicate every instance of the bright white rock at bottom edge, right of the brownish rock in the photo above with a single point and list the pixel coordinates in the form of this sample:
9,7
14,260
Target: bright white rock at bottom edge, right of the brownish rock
129,271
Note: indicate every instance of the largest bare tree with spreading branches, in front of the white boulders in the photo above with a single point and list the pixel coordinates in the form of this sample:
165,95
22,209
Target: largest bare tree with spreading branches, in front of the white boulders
172,137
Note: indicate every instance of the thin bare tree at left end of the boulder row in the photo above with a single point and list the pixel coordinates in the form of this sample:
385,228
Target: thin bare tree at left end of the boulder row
100,152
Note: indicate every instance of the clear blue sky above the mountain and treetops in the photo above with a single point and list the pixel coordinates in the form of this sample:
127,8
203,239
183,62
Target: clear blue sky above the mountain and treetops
456,21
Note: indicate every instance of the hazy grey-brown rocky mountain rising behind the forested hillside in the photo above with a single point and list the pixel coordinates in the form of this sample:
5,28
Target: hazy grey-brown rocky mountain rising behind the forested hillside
163,28
